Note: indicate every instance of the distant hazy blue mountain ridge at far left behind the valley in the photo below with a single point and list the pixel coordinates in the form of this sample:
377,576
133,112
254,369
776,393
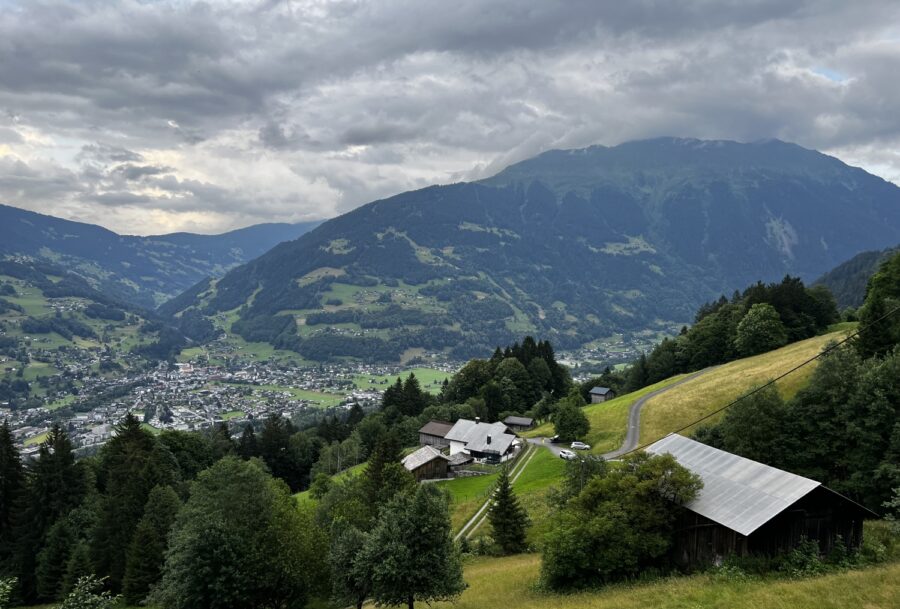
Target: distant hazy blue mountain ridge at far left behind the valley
141,270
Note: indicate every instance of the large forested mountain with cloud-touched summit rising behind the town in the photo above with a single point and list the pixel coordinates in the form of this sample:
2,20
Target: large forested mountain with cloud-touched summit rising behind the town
572,245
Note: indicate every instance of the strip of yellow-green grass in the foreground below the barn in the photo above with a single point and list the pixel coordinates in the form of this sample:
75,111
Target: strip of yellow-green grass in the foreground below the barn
503,582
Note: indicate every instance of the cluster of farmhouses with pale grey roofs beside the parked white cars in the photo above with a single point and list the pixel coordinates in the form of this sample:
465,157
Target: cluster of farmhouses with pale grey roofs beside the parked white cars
447,449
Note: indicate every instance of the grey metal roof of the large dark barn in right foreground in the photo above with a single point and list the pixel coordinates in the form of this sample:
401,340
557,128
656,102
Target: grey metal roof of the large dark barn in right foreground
737,493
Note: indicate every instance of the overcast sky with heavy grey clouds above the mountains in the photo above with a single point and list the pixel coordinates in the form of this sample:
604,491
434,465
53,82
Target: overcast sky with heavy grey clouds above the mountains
150,117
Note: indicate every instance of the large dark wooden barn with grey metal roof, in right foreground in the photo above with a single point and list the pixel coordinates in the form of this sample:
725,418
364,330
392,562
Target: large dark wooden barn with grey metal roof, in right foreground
746,507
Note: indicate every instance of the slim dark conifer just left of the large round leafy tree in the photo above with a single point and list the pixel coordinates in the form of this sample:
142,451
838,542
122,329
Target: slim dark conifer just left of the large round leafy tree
146,554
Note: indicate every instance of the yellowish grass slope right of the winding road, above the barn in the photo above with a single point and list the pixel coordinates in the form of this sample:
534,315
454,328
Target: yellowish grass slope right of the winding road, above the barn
685,403
